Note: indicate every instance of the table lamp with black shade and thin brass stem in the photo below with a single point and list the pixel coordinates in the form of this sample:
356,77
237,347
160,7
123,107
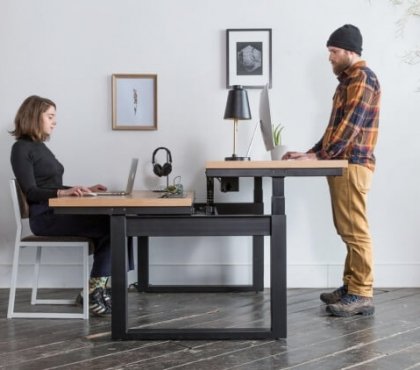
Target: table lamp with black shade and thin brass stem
237,107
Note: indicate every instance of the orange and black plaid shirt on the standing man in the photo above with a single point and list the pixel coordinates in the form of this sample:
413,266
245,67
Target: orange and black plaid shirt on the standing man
353,128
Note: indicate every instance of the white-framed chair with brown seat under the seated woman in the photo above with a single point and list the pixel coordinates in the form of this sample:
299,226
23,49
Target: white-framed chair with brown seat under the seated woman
21,211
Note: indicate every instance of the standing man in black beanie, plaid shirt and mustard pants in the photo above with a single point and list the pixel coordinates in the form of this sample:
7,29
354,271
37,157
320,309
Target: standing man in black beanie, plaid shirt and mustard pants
351,134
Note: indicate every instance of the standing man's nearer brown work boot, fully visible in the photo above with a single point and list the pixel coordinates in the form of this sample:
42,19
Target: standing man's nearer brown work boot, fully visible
351,305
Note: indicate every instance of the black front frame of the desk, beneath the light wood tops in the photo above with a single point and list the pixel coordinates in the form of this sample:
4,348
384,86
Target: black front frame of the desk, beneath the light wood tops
149,222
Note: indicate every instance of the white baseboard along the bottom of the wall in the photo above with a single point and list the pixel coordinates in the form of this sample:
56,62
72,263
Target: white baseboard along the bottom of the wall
298,275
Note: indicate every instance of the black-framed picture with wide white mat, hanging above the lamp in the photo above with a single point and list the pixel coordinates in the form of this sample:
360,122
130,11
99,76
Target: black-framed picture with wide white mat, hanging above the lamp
248,57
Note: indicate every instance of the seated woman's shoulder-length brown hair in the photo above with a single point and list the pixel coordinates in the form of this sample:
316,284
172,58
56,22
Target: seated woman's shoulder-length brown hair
28,120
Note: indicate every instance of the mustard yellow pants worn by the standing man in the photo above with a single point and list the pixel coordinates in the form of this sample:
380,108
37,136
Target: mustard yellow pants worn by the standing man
349,205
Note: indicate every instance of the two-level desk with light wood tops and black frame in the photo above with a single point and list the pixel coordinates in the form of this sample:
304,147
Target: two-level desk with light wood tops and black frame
145,215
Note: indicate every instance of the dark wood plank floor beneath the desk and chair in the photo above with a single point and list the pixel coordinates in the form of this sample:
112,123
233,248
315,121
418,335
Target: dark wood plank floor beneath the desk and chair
388,340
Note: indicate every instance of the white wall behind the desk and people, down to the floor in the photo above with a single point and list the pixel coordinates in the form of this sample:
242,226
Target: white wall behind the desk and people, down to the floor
67,50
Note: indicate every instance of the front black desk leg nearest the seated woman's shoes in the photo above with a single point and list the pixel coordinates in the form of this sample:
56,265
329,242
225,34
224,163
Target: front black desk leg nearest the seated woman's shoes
119,320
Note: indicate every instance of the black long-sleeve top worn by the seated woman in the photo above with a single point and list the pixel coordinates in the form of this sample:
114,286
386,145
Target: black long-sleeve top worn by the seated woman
36,169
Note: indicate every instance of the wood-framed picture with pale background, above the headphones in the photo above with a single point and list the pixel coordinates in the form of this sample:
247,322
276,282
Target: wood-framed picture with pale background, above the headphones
134,102
